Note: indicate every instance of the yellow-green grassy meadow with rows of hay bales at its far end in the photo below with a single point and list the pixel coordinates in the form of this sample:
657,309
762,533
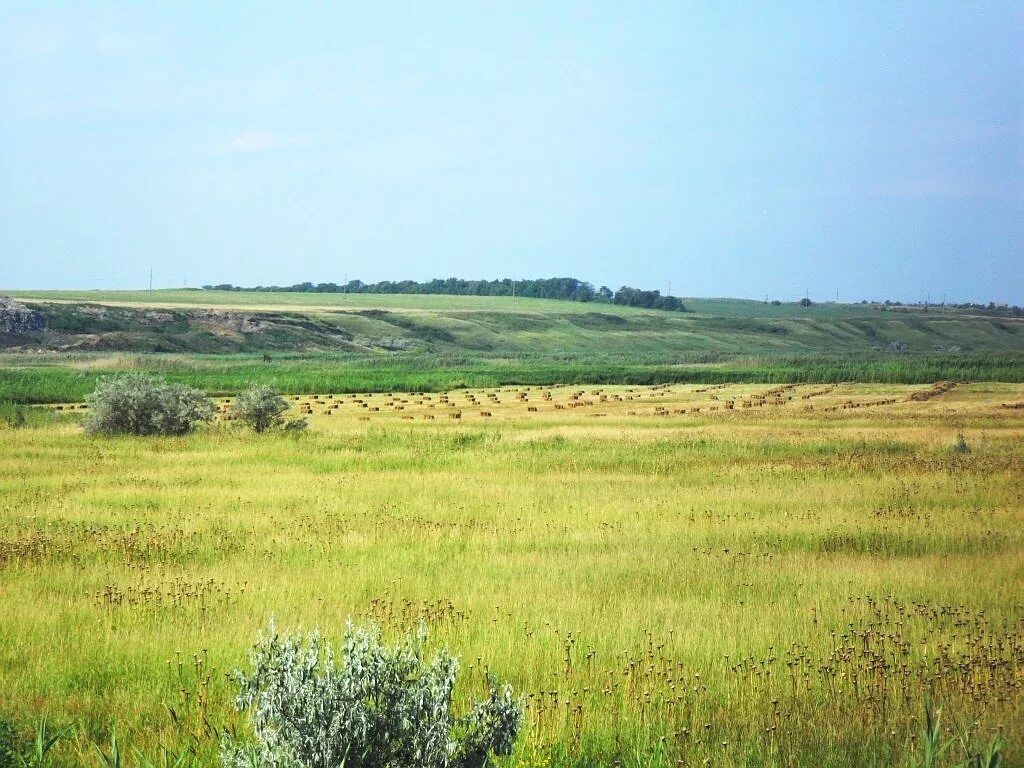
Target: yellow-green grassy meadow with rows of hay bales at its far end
746,574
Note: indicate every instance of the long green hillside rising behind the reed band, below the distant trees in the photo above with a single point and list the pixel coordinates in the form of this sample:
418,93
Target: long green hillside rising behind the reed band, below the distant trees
210,322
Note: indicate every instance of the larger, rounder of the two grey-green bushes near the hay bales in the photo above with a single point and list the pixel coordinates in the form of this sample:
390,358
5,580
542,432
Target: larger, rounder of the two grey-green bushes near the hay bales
137,404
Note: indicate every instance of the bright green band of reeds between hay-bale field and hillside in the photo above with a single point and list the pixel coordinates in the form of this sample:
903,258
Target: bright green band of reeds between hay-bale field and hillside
63,381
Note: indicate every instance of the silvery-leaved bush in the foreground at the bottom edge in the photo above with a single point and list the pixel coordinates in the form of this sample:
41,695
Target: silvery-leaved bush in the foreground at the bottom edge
377,708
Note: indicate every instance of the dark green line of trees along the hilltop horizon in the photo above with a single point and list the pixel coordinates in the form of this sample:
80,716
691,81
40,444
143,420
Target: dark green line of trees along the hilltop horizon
567,289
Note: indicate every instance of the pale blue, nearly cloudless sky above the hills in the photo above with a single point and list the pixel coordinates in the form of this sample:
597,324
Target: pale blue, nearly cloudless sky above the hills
742,150
